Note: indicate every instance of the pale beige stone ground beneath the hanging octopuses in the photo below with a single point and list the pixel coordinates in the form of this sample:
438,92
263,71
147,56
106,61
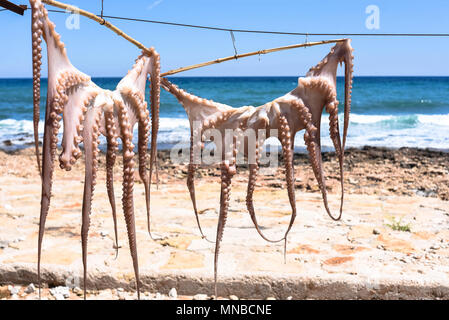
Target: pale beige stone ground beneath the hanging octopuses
387,245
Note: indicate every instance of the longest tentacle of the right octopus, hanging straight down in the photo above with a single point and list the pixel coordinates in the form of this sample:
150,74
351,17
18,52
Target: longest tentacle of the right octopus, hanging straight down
227,172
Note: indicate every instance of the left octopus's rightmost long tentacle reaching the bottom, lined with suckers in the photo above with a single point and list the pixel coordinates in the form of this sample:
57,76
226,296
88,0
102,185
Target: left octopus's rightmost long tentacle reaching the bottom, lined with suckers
128,185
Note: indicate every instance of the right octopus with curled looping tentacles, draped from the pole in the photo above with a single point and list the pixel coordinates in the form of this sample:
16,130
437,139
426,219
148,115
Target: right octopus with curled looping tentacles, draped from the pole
299,109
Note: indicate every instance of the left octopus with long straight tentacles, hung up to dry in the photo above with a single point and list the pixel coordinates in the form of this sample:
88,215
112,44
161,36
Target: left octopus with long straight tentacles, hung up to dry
88,111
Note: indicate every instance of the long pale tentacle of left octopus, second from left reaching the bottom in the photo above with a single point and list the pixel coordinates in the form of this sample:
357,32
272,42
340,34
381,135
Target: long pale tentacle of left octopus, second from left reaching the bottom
91,142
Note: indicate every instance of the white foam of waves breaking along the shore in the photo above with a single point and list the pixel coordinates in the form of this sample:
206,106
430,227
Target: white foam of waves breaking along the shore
376,130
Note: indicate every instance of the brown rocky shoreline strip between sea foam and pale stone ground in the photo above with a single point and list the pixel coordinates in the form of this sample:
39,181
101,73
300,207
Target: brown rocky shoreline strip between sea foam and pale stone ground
368,170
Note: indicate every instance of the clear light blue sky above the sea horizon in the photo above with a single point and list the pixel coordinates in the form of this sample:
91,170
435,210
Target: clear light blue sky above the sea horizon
99,52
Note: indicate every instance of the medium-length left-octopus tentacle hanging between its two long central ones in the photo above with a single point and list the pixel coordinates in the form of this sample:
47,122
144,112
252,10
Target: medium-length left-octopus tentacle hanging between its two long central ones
111,151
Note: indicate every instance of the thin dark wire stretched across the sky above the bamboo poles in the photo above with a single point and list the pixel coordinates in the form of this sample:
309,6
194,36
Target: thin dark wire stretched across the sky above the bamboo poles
267,31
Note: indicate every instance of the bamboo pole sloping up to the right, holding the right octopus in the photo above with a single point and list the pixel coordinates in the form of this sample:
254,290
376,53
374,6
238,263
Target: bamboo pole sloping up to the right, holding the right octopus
248,54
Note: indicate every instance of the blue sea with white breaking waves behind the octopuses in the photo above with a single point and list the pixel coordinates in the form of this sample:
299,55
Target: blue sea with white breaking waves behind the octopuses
387,111
